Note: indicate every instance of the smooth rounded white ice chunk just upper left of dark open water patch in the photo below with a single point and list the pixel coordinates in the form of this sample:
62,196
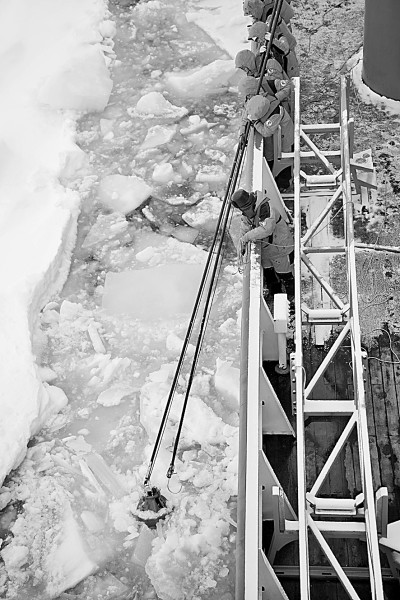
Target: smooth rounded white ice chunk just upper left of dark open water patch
123,193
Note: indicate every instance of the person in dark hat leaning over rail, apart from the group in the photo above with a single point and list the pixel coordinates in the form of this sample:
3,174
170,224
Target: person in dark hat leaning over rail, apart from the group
263,223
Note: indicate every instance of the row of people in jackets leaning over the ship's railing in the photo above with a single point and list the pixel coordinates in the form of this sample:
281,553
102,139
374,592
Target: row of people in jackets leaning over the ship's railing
269,109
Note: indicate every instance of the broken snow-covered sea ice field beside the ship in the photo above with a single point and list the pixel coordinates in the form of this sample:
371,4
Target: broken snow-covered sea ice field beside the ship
84,382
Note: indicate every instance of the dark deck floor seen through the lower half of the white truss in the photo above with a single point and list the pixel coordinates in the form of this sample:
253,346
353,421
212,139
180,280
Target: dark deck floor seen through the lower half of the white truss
383,409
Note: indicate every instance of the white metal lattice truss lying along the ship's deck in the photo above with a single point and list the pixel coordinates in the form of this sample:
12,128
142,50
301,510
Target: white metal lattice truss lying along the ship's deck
363,507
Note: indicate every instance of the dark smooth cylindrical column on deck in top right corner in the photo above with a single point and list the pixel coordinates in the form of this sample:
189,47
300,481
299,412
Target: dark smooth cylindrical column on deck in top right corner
381,63
